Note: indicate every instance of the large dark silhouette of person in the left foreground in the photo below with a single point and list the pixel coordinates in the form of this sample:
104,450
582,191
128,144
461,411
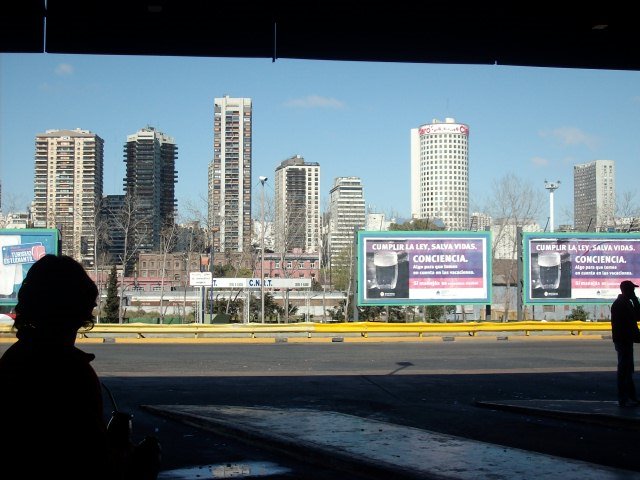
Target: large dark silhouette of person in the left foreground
51,405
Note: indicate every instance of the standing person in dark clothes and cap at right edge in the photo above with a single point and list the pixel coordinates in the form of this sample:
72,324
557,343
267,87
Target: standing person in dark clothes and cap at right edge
625,314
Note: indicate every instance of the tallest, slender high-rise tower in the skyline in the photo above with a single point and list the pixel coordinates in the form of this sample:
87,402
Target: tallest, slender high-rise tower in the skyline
229,192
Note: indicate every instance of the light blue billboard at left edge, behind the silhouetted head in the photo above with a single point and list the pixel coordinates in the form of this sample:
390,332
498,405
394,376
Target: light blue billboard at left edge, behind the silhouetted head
19,249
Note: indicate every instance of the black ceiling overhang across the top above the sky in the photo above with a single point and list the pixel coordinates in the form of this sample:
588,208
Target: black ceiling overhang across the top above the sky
525,34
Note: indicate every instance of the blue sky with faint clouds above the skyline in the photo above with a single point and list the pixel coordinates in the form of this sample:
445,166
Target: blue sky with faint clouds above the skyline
353,118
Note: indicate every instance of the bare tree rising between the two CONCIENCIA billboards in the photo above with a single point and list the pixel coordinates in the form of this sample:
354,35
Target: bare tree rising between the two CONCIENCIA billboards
515,203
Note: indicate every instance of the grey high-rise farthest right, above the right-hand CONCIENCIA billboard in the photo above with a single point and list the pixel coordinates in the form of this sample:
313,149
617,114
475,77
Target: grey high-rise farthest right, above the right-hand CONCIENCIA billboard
594,196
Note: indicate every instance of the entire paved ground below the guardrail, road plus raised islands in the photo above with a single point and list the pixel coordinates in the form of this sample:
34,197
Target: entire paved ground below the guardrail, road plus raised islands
473,408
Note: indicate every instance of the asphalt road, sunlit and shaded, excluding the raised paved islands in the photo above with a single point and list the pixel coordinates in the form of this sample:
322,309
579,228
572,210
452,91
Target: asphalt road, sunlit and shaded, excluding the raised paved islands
429,385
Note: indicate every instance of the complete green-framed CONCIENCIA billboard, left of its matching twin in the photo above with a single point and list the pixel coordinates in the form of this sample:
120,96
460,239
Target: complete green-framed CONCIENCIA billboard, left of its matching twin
423,268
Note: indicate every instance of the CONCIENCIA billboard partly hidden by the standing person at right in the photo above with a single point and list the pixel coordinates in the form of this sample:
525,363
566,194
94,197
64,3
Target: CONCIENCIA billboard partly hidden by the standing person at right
578,268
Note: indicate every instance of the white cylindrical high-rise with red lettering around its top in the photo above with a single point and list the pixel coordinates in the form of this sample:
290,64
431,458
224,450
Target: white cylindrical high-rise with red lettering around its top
440,173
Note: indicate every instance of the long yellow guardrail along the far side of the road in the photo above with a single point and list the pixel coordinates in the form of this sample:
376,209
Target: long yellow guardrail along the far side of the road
363,329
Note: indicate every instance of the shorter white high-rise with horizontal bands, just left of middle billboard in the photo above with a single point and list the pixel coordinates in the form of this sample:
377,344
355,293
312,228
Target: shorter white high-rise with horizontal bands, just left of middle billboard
346,216
